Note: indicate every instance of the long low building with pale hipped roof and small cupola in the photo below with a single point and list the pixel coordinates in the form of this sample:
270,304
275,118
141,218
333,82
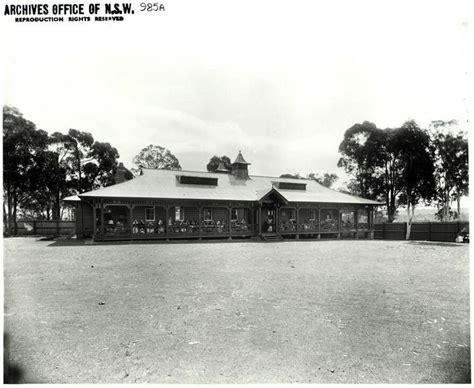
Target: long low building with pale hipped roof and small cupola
166,204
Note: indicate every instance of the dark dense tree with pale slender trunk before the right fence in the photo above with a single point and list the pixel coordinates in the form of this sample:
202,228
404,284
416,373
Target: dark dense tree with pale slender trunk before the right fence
412,149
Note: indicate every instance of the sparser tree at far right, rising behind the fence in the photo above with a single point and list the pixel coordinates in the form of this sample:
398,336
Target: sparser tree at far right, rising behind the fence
450,148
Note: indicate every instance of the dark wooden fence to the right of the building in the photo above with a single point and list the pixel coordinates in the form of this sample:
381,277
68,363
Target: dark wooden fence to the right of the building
429,231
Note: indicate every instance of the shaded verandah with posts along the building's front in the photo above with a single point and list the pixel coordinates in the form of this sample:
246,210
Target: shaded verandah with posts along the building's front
143,221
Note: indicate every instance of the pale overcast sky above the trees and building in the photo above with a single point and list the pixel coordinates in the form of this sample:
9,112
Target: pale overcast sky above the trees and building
279,80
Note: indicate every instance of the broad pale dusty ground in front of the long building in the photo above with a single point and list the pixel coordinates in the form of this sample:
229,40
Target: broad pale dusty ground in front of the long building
309,312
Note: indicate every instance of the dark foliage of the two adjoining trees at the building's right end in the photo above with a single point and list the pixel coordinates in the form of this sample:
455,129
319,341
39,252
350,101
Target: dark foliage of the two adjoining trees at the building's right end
393,165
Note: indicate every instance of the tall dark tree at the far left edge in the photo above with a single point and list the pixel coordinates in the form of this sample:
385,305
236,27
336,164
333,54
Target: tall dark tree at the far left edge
21,144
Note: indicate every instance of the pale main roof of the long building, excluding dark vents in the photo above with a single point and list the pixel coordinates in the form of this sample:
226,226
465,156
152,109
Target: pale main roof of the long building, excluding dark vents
161,184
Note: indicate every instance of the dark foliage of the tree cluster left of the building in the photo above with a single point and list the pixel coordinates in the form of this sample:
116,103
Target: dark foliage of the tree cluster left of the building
40,170
